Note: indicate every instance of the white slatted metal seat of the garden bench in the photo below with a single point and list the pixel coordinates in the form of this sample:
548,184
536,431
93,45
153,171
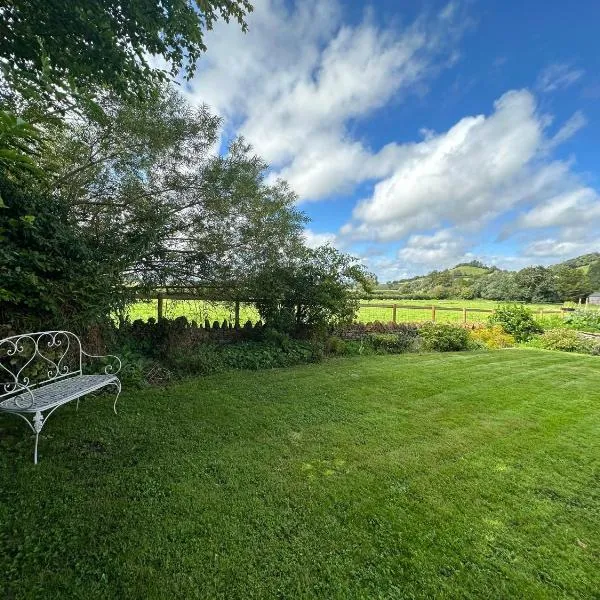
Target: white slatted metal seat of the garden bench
56,393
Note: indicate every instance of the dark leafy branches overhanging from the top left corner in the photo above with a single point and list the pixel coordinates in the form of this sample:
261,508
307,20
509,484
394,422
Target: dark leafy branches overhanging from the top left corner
57,50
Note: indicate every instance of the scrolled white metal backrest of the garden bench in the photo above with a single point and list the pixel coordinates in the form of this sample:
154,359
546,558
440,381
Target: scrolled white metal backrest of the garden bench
30,360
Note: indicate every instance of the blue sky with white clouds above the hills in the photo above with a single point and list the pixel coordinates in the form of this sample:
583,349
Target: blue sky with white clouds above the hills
421,134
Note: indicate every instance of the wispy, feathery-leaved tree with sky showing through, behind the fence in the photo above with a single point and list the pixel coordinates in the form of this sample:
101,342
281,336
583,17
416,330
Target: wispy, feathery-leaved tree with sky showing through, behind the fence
148,190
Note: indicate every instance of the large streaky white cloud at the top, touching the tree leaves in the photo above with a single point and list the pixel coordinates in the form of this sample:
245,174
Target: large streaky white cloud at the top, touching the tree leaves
292,85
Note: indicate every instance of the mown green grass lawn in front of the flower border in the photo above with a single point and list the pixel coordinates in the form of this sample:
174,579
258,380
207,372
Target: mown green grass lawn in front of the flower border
471,475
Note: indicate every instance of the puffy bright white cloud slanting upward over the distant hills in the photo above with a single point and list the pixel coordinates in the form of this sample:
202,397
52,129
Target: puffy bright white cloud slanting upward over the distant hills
460,176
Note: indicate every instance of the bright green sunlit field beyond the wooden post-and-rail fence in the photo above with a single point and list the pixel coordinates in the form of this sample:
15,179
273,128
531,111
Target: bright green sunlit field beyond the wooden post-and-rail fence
200,310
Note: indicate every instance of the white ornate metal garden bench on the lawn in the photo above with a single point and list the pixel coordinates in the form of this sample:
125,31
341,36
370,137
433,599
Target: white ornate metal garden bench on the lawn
44,370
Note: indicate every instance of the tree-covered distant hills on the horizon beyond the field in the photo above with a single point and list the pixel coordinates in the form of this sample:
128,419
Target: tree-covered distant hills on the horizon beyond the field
572,279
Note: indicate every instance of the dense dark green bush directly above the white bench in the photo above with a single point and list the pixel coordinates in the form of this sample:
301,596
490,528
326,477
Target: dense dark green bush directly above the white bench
51,275
